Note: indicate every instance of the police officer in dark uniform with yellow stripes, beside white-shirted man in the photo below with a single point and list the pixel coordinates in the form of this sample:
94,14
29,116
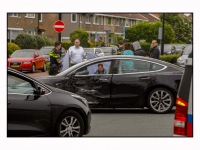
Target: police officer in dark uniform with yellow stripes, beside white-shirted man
55,59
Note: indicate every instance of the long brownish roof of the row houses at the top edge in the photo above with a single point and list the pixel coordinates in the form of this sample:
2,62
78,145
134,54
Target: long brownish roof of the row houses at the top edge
128,15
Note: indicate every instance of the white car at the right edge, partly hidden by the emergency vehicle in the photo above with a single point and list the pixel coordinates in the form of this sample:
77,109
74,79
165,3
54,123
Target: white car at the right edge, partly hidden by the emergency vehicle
184,56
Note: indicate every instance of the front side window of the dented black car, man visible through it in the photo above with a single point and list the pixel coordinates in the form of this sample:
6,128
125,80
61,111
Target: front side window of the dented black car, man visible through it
94,69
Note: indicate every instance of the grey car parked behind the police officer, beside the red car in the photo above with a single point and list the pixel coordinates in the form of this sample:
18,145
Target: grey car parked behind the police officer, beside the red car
47,49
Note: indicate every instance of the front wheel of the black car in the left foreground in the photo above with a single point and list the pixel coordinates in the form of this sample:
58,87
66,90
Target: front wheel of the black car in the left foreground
70,124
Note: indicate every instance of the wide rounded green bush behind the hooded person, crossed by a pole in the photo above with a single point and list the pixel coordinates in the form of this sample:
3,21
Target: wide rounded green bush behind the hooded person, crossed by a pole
148,32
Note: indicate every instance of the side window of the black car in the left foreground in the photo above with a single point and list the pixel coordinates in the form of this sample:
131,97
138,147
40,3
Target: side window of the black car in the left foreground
20,86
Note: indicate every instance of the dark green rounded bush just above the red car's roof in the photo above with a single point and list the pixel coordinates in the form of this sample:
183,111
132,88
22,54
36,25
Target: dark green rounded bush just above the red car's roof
26,41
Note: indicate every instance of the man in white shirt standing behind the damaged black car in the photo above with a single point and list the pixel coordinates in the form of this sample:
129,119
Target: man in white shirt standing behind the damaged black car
76,53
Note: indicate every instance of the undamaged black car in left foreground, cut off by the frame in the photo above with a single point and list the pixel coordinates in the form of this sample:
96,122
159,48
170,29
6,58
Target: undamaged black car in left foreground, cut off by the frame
36,109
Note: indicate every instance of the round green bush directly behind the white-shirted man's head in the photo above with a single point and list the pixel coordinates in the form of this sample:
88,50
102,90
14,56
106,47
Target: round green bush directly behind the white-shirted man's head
81,35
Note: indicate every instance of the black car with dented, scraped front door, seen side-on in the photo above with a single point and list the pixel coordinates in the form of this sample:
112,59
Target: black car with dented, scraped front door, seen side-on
130,82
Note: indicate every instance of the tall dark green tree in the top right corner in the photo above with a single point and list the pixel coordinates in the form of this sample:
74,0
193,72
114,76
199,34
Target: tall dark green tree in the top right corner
181,26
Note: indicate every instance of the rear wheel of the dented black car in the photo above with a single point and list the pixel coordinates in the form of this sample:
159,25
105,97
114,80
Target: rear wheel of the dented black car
160,100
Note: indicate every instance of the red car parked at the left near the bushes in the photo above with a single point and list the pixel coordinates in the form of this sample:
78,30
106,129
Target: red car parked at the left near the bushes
27,60
